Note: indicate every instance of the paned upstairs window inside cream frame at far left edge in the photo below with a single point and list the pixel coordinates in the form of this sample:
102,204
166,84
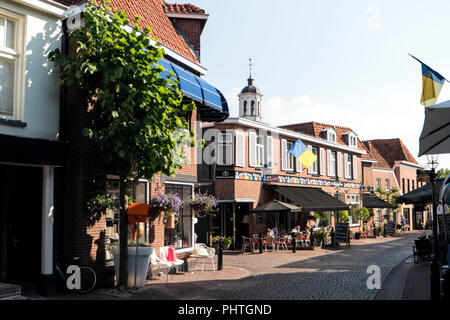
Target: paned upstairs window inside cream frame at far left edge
9,55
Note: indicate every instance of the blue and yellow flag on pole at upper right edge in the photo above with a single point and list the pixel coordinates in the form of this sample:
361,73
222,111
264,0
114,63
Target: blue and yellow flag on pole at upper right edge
432,83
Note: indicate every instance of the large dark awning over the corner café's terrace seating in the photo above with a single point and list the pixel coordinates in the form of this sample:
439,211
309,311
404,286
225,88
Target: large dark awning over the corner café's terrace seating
310,199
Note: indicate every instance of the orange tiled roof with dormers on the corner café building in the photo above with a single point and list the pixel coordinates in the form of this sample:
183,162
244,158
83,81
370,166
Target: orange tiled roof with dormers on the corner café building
315,128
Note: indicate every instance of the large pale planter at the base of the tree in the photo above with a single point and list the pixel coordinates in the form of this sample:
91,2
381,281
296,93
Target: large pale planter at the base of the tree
143,260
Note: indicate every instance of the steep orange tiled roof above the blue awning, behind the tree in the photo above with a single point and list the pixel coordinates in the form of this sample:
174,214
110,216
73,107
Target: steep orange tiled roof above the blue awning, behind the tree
152,14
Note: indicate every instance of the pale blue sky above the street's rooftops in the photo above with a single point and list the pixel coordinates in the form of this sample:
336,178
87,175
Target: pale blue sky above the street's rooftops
338,62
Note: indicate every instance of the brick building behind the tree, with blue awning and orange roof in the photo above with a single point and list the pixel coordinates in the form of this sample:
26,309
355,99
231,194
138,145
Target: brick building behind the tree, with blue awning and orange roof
78,233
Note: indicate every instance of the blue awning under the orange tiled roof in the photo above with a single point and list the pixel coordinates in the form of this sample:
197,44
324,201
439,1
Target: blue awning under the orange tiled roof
195,88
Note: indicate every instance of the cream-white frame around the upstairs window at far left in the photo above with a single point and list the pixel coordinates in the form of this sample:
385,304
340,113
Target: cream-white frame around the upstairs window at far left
16,55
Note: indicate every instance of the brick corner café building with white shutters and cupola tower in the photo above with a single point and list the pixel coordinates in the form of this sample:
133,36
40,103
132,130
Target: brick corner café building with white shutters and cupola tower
252,166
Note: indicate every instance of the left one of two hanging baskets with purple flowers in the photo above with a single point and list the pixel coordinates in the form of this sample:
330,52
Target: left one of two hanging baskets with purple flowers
169,204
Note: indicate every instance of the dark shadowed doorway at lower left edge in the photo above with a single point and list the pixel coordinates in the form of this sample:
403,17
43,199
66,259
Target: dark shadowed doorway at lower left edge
20,222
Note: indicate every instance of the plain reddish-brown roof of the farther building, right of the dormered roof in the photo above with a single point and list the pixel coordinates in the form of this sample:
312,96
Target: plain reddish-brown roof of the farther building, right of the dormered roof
392,150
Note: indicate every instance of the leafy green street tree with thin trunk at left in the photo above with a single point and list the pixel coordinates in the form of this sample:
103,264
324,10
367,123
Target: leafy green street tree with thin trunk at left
136,112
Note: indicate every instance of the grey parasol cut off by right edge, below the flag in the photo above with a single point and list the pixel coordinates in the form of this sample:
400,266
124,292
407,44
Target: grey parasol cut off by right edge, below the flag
435,137
